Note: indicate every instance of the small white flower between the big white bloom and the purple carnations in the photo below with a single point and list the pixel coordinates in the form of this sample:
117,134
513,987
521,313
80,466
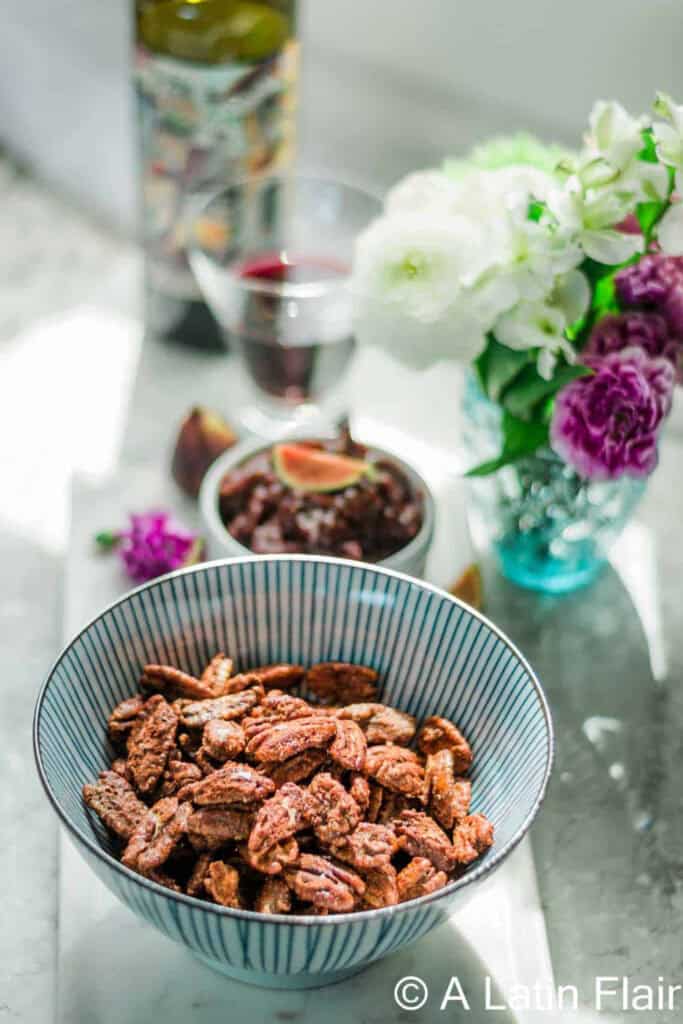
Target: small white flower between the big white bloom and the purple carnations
543,325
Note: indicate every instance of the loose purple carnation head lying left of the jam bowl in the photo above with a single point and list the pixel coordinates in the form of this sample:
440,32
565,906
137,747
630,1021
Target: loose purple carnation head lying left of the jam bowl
154,544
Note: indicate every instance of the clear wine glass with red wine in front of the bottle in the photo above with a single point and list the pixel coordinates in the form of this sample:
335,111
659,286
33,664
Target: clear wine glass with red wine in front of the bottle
273,258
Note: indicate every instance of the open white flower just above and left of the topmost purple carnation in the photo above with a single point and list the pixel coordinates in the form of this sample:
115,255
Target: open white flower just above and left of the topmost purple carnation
592,219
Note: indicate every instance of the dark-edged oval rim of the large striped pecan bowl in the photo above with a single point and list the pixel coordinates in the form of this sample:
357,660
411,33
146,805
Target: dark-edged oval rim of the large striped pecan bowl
487,867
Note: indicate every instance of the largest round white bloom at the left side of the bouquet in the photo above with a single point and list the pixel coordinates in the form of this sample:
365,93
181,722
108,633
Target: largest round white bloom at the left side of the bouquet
409,290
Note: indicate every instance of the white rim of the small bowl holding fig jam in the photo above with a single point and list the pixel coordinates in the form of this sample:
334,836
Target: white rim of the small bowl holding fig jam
208,500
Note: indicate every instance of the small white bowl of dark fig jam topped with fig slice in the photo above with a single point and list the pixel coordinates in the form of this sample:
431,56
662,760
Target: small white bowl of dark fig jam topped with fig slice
321,497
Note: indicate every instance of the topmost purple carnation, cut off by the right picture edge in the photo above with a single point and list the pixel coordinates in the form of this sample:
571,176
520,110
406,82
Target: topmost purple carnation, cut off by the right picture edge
656,285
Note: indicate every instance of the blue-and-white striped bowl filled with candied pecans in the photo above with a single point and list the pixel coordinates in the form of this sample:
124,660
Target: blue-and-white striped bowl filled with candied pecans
292,765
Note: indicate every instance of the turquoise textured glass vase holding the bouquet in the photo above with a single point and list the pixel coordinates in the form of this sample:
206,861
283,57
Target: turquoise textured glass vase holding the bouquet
549,529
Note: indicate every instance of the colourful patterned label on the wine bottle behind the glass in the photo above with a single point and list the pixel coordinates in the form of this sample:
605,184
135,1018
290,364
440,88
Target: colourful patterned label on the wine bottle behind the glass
200,126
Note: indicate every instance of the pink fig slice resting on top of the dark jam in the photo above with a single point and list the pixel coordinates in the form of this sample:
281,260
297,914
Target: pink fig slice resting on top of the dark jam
305,468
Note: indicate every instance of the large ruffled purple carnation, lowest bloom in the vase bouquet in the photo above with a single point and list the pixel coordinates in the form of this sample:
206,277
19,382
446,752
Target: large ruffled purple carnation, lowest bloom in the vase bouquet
607,425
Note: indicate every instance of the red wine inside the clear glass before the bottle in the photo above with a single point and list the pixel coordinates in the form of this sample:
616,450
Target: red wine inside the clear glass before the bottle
292,323
